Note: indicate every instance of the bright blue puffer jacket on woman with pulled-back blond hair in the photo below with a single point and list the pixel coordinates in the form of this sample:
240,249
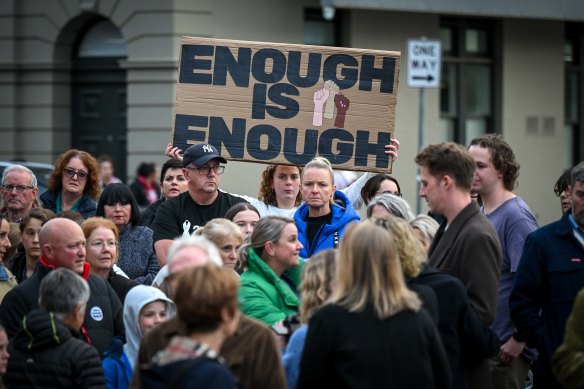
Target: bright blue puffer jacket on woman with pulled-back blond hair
343,215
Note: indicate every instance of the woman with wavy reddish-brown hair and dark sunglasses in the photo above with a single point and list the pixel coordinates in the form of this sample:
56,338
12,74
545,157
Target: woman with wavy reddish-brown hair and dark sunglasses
74,184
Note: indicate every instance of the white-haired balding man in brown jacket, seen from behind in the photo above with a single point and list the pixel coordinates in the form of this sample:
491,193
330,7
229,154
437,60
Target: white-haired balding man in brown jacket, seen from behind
251,354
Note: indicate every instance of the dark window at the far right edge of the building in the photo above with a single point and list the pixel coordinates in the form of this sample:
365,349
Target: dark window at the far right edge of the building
573,92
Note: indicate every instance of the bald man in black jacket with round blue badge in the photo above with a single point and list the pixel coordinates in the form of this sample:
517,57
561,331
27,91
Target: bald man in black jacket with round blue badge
63,246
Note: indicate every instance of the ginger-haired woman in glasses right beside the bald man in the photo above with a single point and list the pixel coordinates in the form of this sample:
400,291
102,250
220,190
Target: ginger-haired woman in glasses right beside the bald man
102,253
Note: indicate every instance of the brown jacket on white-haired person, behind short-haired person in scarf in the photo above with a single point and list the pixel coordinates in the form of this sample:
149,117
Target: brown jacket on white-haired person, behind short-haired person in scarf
251,354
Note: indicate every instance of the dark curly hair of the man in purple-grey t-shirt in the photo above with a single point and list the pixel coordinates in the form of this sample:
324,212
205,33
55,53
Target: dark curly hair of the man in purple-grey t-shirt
502,157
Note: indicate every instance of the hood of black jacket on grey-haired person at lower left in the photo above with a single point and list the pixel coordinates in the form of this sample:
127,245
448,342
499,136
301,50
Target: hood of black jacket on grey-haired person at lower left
40,331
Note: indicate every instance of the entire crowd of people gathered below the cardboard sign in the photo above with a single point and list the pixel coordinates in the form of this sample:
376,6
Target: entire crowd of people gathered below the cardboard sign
172,282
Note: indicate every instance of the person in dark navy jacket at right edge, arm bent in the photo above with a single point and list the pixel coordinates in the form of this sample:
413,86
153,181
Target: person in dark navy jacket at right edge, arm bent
549,276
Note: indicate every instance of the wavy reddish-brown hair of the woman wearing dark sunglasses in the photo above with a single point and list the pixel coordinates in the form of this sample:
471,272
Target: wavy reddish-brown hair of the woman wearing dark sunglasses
92,187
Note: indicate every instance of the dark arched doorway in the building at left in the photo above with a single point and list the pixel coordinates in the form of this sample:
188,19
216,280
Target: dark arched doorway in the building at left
98,100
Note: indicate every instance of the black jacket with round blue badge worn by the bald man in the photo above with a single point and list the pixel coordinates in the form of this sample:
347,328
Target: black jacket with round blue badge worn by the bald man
103,316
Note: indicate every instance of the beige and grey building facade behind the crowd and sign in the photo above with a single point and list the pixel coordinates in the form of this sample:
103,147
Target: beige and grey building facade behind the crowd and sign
100,75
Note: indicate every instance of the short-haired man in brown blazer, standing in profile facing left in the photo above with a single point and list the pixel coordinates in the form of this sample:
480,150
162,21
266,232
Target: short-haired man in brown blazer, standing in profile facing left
466,244
